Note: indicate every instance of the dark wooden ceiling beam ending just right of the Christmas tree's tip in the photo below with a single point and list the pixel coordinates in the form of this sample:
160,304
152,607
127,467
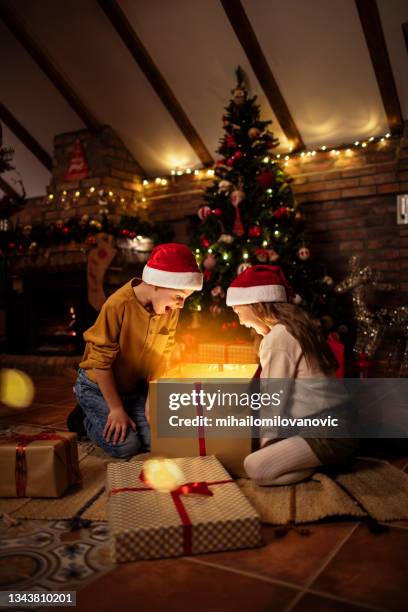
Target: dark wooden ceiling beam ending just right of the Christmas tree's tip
250,44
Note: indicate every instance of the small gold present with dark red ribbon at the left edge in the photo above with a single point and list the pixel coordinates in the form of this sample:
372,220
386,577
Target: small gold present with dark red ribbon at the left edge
43,464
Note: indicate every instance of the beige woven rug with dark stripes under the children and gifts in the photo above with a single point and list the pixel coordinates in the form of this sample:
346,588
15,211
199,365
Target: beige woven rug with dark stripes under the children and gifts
372,487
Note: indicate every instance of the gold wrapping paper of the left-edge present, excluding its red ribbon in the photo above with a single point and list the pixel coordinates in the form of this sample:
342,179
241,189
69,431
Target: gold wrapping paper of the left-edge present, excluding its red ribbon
47,472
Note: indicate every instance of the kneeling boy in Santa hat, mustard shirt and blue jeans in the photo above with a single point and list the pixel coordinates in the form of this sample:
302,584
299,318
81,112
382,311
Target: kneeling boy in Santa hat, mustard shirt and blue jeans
129,343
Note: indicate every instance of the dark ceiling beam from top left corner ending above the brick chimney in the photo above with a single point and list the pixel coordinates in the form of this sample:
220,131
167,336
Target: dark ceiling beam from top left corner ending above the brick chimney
19,30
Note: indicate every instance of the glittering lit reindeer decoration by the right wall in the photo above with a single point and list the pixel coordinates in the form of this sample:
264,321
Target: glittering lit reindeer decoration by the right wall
373,325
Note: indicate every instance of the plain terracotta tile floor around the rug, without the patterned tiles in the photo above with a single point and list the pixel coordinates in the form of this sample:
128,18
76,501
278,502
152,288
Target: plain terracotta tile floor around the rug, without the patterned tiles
340,566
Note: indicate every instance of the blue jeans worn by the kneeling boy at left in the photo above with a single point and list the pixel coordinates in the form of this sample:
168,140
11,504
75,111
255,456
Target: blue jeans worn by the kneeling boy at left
96,411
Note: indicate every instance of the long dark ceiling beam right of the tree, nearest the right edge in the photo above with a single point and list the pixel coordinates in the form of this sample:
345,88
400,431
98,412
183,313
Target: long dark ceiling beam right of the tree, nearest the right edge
374,35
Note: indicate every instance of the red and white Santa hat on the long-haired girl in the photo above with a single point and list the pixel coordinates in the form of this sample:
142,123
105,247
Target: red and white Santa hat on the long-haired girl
260,284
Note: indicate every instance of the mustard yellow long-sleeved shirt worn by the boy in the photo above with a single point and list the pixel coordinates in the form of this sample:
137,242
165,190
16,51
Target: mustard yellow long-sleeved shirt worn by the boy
129,339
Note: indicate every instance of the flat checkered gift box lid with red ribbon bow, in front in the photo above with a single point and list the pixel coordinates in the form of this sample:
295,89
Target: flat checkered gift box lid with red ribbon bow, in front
206,513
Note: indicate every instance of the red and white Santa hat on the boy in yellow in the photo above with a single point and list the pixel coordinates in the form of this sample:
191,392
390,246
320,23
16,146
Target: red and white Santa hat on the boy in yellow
174,266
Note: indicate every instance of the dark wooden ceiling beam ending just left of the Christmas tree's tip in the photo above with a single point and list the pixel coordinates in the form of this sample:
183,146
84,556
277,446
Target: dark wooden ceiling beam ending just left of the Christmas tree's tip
139,53
